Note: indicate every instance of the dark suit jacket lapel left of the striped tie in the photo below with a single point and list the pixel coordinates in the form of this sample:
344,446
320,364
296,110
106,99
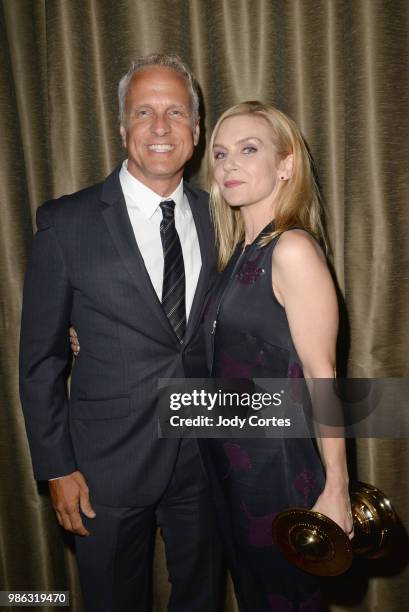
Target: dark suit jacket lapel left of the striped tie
120,228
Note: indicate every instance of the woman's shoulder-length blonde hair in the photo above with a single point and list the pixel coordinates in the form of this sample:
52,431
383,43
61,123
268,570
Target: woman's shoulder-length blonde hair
297,203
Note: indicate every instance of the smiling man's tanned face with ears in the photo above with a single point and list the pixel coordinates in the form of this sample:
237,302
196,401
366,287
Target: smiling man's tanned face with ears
160,135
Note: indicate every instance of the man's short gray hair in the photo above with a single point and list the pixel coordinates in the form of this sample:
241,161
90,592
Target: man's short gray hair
173,62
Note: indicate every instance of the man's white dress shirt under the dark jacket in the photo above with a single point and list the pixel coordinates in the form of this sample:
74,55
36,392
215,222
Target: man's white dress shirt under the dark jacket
145,215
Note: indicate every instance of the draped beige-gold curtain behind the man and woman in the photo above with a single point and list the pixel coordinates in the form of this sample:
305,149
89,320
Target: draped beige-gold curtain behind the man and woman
340,69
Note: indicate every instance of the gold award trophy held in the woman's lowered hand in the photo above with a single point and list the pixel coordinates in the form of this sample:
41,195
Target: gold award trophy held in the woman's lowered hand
315,543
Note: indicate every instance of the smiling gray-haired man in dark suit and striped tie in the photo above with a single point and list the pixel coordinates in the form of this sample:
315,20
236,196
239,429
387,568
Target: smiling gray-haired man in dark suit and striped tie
128,263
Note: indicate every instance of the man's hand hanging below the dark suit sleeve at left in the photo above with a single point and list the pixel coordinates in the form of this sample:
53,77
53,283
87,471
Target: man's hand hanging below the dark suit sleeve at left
69,494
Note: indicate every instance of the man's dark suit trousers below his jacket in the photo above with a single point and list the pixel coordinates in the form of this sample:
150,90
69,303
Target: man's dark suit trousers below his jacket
115,560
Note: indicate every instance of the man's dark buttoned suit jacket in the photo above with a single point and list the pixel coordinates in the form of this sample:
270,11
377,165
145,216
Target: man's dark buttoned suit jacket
86,270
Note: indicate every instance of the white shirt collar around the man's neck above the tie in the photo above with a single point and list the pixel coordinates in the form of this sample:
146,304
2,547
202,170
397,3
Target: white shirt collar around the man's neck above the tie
137,195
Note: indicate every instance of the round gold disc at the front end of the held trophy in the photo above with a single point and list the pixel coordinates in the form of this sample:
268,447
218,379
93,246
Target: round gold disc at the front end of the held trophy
312,541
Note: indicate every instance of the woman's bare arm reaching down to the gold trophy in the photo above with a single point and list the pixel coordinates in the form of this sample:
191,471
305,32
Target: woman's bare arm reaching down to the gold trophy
303,285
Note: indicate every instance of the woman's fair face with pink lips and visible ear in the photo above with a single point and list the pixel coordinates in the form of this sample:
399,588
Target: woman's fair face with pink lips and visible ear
247,168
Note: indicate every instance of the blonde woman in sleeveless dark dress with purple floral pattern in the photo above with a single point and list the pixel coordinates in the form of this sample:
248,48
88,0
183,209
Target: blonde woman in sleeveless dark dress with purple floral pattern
273,314
